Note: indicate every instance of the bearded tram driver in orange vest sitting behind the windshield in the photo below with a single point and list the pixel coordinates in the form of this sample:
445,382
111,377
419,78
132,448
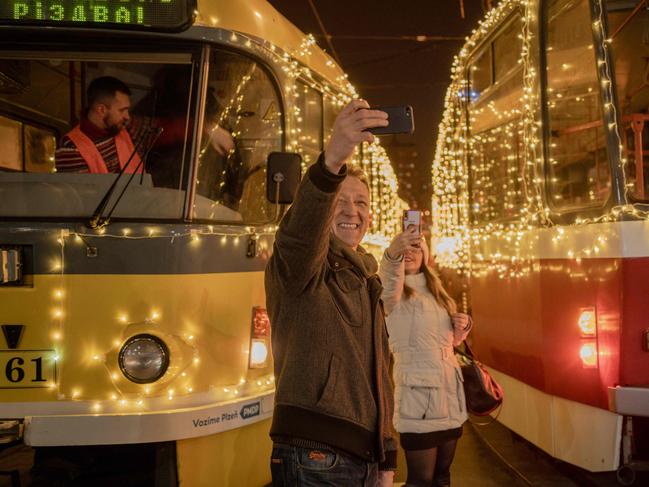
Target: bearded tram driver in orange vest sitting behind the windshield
103,141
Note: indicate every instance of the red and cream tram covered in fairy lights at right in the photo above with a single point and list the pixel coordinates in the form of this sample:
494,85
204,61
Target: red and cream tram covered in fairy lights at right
540,210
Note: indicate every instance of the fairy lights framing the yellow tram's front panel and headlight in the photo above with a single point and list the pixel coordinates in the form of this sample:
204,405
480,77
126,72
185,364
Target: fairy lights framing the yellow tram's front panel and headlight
126,396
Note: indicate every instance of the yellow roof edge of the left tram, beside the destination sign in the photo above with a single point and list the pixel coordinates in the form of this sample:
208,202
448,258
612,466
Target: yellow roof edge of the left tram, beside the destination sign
258,18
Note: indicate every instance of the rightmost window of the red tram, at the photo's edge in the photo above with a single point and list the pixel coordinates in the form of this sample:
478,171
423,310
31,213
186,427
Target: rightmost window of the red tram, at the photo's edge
628,25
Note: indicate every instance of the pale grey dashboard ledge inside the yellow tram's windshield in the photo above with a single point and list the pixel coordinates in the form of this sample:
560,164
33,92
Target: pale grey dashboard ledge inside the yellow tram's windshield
73,195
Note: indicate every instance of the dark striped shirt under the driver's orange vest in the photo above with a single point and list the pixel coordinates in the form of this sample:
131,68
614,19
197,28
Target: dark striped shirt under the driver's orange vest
68,158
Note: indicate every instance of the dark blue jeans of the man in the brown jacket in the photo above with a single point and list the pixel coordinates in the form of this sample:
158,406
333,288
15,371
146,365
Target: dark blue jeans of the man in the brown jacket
293,466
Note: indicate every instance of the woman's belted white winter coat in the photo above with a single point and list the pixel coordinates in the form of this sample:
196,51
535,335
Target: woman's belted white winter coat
429,394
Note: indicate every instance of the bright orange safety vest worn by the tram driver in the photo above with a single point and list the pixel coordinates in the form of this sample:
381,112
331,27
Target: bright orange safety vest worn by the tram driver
91,155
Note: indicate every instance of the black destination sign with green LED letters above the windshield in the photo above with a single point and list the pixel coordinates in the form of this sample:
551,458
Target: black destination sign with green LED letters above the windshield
164,15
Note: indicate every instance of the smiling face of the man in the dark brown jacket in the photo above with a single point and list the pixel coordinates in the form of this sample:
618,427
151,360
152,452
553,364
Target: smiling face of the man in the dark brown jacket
352,212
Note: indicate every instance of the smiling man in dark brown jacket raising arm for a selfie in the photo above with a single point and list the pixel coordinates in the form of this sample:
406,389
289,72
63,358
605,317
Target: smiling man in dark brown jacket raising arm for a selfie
332,423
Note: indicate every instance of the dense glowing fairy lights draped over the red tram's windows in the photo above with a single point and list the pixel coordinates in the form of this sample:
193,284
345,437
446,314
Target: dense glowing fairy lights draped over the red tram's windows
502,246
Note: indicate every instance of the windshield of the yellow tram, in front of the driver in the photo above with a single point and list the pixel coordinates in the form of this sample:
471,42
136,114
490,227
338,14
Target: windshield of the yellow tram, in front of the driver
42,98
